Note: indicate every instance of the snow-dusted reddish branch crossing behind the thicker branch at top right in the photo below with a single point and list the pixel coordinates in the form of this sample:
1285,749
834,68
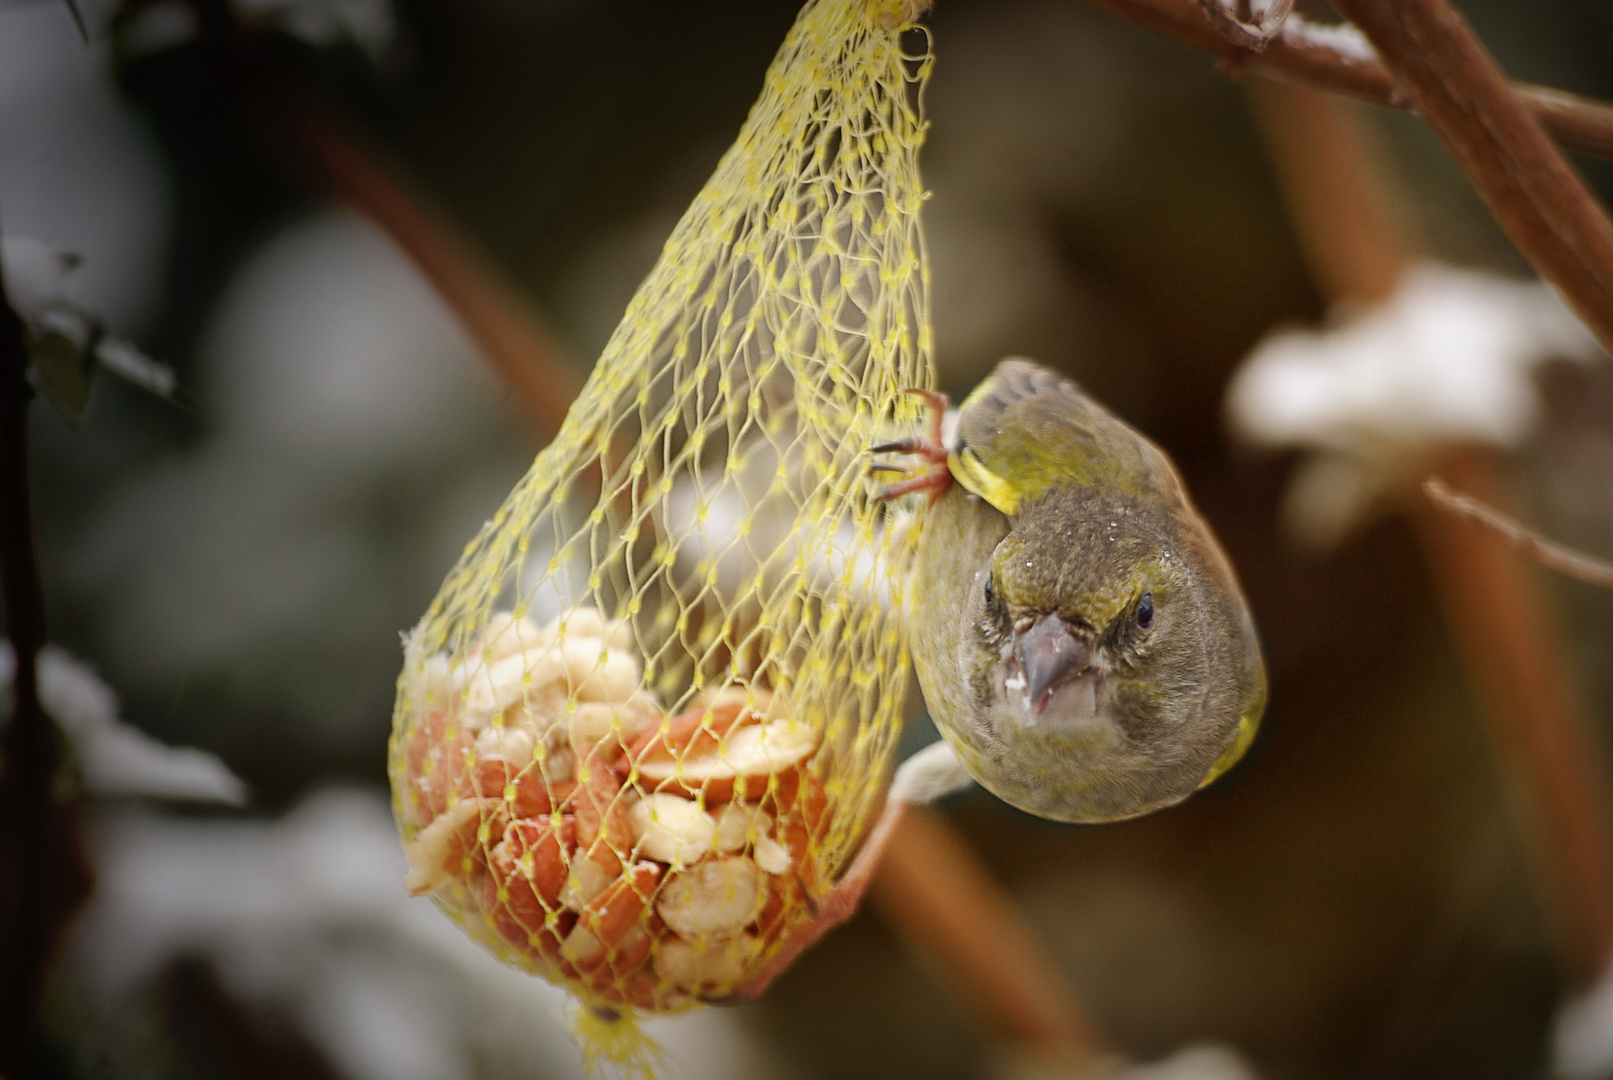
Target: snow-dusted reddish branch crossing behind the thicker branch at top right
1577,123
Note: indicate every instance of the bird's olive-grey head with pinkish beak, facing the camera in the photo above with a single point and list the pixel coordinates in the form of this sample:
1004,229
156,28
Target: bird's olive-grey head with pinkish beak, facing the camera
1115,658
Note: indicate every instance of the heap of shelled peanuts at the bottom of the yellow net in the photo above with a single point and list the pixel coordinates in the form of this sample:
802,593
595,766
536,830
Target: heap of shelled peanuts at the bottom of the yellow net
644,860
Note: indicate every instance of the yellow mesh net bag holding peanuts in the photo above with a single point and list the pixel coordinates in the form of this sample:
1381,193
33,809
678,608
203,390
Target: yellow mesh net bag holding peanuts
648,718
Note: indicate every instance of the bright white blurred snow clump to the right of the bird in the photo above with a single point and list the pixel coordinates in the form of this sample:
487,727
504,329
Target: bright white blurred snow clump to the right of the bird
1449,359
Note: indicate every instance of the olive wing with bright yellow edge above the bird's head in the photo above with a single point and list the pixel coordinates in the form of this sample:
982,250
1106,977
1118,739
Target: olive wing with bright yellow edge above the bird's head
1028,431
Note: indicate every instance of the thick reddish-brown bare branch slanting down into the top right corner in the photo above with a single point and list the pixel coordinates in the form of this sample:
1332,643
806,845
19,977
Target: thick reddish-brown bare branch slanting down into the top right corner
1536,197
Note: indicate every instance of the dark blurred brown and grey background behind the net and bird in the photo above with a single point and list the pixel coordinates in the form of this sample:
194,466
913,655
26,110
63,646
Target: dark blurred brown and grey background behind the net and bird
236,563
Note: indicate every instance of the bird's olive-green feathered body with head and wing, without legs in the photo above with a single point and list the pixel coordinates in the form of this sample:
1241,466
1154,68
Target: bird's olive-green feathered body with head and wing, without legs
1080,638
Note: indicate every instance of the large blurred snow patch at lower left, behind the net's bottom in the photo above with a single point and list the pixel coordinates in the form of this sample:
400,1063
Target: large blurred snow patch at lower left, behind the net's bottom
307,915
